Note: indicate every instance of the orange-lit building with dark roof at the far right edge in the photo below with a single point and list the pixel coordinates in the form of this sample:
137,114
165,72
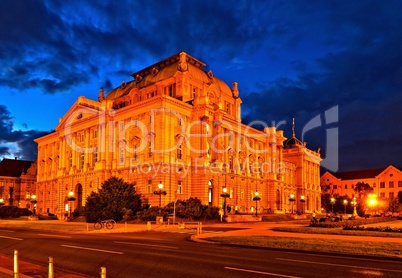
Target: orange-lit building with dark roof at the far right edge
386,182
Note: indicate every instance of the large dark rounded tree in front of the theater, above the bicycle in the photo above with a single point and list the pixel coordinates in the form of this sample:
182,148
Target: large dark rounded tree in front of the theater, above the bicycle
113,200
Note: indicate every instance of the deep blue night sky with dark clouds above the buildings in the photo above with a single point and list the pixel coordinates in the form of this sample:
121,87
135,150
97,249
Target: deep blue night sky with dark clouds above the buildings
292,59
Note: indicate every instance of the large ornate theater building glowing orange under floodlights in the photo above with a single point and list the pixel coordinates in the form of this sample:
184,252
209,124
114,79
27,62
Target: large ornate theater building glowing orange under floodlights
177,125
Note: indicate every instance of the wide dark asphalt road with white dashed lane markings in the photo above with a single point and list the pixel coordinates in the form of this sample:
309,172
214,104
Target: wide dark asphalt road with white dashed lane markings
170,254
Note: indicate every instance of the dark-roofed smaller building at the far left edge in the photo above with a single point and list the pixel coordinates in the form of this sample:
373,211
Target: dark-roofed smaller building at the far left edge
17,182
